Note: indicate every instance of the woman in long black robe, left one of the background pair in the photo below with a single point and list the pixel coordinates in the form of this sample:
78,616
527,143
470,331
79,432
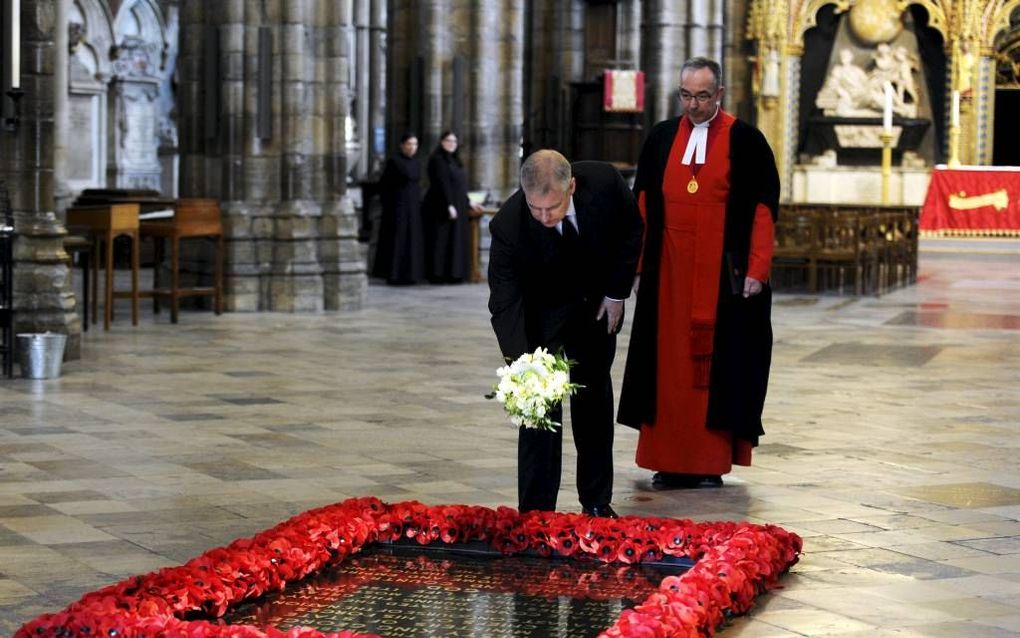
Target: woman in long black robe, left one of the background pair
400,250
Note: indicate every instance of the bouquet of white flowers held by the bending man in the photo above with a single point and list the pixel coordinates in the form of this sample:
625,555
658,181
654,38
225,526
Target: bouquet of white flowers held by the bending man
532,386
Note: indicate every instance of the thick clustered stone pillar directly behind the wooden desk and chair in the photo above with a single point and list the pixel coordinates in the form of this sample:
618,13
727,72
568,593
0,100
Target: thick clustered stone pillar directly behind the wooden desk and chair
292,230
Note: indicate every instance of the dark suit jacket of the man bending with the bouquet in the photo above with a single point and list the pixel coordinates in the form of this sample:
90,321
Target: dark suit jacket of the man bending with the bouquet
533,292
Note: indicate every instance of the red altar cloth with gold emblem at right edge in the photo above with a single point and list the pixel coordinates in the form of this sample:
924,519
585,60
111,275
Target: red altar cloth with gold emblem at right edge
973,202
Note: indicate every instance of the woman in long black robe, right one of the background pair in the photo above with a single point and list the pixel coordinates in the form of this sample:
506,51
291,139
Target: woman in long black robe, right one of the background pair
446,212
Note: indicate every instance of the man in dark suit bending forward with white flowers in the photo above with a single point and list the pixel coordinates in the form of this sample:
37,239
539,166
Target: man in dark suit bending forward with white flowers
564,258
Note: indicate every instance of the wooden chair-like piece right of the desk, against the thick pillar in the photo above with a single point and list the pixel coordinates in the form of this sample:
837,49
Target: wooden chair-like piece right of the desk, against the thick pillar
193,219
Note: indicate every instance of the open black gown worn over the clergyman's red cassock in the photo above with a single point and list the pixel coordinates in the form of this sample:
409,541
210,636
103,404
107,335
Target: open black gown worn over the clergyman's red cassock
743,346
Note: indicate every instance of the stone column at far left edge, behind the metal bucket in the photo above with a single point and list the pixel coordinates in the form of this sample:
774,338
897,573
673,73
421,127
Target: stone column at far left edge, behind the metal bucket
43,298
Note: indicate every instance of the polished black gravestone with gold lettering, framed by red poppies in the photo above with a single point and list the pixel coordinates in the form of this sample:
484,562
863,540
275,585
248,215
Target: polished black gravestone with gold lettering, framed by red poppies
424,593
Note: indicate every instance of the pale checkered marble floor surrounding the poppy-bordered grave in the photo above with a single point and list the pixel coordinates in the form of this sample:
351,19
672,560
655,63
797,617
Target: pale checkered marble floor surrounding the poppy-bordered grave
892,446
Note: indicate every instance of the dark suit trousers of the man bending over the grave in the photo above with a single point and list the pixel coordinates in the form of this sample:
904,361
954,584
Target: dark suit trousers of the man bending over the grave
540,452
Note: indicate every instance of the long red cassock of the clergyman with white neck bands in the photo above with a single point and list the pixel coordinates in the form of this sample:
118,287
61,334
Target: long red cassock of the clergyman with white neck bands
679,441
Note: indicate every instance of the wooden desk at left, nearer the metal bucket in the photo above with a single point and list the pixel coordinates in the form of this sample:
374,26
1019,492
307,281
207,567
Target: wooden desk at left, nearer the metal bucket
105,224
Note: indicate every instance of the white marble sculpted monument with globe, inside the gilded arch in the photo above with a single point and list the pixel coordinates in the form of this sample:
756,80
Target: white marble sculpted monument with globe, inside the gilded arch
875,63
